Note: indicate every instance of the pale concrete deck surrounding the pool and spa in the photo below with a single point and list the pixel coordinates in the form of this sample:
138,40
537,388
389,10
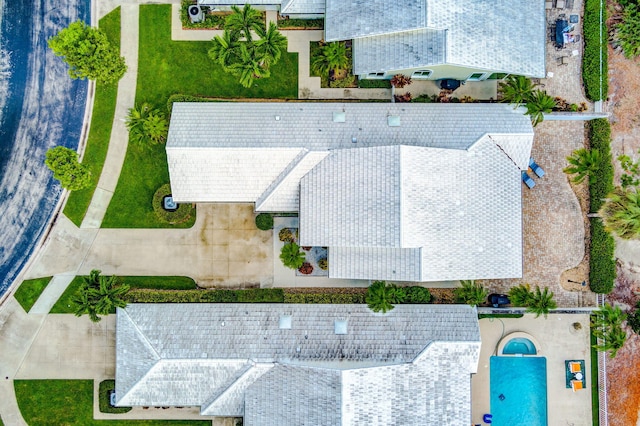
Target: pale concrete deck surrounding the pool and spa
559,341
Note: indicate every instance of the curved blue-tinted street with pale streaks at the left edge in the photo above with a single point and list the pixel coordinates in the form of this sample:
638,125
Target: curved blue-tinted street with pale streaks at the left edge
40,107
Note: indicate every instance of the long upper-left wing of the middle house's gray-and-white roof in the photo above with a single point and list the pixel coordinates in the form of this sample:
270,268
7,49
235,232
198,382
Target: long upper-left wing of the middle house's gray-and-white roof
234,152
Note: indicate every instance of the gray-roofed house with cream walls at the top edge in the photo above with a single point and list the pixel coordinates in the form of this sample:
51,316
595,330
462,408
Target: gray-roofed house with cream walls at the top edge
466,40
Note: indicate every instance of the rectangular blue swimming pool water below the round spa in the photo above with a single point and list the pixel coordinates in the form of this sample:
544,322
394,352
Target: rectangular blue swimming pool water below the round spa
518,391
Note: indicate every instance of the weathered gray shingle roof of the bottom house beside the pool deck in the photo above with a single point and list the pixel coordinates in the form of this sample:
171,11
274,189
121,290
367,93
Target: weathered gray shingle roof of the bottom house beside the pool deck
411,364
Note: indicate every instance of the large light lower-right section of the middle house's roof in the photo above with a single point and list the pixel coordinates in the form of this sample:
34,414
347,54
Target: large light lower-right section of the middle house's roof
462,209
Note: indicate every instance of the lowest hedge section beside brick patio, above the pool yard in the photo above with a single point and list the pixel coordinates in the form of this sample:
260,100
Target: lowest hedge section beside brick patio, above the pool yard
602,264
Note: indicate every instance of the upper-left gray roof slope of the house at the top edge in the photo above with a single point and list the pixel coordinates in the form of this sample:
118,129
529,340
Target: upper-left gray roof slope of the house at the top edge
346,20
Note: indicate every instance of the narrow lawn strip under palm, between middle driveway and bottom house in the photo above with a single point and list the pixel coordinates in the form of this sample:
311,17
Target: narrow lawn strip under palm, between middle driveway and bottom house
65,306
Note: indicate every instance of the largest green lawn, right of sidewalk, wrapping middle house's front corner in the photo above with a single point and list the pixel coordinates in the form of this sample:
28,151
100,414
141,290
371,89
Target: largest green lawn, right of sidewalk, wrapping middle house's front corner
165,68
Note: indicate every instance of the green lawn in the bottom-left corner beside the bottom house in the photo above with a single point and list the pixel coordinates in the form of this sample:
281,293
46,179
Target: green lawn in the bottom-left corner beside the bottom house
70,402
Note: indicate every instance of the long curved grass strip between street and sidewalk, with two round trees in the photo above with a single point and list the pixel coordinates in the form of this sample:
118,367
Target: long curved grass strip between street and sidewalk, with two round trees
104,105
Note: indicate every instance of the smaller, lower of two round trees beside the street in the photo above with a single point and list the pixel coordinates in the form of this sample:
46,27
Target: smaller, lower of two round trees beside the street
66,168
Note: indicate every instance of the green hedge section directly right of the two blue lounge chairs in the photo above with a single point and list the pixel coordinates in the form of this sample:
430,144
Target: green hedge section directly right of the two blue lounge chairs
600,139
